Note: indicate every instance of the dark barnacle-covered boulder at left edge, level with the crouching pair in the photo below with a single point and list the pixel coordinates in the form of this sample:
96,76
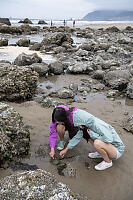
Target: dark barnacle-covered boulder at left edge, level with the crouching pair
14,136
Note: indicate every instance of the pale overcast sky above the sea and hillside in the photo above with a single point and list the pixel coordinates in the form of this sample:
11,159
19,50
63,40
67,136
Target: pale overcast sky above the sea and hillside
58,9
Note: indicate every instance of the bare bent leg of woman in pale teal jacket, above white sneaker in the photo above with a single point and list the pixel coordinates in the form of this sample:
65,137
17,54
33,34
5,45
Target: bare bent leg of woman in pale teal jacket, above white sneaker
106,150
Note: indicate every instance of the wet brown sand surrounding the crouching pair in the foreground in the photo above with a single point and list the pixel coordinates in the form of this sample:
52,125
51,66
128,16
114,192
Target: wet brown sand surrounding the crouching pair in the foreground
113,183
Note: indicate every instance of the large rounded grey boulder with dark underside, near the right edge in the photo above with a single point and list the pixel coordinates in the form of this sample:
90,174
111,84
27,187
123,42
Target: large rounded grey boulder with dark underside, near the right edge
117,79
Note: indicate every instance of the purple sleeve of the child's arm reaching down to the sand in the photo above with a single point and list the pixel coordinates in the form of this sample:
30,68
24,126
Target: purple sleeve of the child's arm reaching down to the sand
53,134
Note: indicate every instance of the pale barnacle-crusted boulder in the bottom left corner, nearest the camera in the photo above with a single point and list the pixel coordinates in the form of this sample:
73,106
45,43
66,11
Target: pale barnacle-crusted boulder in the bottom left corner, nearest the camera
35,185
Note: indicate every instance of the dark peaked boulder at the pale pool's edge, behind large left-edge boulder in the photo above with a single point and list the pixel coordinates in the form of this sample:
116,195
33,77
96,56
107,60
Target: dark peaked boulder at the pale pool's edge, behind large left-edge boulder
24,59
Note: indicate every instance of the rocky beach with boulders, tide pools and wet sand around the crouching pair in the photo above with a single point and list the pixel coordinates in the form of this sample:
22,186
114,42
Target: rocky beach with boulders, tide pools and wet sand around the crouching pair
89,67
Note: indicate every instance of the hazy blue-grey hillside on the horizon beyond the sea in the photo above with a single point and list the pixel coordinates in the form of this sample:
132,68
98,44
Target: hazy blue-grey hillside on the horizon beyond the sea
109,15
